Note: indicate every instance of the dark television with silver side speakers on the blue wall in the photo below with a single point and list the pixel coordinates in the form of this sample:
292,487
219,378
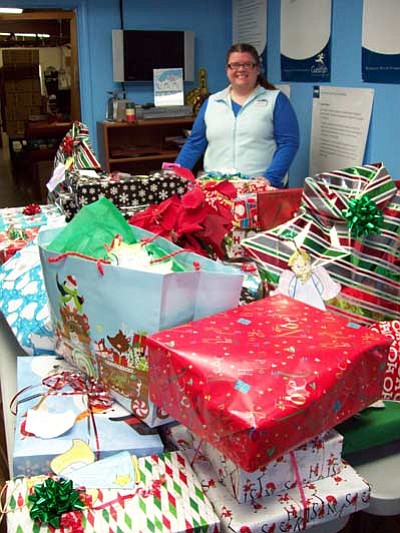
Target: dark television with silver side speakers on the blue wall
144,50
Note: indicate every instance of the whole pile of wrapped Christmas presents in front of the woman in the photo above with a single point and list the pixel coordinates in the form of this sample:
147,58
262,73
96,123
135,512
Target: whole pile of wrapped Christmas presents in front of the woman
150,331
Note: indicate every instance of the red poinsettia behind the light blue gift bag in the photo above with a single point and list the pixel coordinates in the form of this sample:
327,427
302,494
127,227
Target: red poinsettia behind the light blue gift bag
198,221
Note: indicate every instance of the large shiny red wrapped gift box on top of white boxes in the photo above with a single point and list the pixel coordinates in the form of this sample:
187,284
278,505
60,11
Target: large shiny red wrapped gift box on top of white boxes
258,380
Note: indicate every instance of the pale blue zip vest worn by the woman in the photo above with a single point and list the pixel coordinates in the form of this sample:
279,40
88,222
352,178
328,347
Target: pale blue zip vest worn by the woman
244,143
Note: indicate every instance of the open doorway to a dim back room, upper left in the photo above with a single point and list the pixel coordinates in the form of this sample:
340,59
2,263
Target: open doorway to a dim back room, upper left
52,33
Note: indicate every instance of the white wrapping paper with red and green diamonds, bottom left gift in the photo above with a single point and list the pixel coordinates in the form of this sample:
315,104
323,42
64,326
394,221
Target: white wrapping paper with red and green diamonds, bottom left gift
177,504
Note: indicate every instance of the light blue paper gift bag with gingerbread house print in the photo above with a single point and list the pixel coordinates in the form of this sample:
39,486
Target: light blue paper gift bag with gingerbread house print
101,312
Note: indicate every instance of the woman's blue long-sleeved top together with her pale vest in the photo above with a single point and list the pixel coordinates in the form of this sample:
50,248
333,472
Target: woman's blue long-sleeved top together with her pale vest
274,147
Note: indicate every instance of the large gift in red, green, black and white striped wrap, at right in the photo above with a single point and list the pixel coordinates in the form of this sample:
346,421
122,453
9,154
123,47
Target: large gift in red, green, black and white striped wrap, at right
368,268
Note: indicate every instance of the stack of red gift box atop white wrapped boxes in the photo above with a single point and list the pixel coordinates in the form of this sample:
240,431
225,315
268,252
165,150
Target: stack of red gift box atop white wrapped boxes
258,427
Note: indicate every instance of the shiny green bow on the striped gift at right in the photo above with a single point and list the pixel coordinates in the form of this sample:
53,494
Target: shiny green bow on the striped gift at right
363,216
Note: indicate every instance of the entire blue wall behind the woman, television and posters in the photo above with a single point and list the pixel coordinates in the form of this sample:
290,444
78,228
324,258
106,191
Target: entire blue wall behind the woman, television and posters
211,22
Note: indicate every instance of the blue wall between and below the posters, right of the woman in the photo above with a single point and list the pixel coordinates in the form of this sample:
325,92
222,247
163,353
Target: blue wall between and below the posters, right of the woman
384,133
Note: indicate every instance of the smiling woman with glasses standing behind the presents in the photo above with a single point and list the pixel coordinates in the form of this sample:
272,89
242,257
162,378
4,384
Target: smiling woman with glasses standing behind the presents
249,127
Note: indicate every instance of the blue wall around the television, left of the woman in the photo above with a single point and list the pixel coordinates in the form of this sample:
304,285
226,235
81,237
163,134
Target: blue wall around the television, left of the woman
210,41
